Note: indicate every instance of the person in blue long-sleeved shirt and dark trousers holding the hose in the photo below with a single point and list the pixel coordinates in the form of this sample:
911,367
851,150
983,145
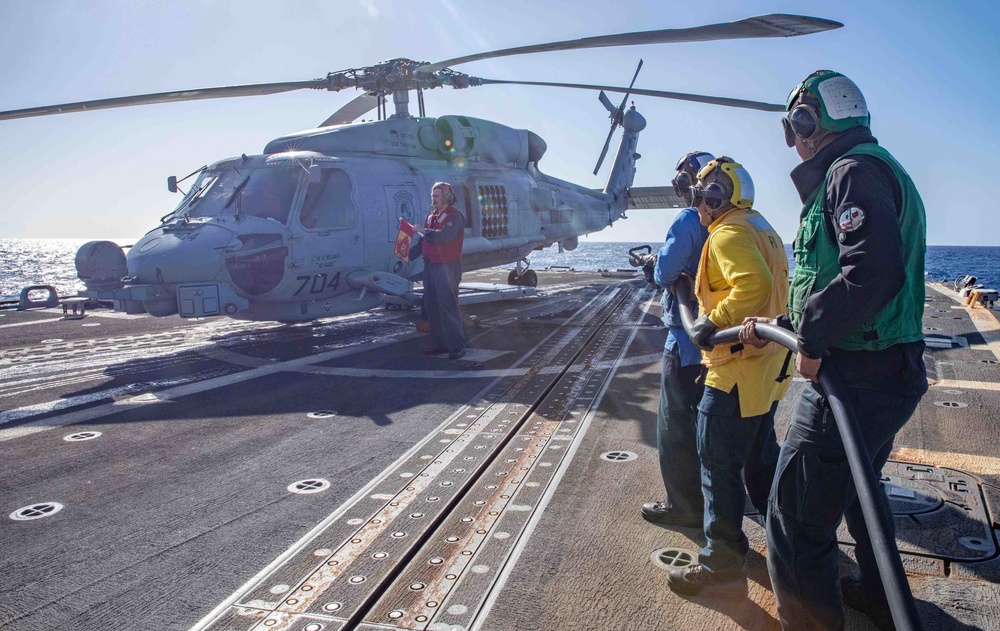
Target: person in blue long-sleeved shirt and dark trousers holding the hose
681,382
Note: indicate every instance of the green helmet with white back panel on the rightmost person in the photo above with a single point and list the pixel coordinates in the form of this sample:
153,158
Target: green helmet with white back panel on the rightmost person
840,102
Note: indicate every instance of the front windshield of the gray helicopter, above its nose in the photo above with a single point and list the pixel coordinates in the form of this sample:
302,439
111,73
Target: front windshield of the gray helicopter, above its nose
265,192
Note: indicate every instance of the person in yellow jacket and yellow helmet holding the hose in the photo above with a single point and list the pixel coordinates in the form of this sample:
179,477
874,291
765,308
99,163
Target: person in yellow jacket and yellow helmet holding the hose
743,272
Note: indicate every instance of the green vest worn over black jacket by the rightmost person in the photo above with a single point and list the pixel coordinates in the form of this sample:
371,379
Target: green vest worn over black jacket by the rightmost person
817,263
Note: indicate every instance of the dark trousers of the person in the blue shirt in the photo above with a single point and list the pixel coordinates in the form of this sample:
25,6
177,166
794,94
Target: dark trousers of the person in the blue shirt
677,432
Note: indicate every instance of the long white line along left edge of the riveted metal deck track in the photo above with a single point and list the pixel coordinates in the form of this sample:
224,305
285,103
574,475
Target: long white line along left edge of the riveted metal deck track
347,505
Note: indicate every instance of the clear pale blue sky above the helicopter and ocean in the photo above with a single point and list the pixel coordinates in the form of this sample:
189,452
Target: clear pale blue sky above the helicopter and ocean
928,69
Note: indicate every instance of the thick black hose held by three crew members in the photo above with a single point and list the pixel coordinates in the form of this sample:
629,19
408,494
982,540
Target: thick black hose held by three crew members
876,512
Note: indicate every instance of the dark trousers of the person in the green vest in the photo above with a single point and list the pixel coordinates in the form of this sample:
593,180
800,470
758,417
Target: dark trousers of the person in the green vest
812,490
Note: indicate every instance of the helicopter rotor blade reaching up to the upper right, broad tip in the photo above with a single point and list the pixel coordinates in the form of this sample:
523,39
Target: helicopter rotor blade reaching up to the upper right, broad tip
772,25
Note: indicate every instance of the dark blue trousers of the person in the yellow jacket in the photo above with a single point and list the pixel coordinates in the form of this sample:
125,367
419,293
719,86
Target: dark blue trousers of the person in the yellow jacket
732,448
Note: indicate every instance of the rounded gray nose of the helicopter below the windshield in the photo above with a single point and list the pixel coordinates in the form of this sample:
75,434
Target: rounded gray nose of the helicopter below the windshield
178,255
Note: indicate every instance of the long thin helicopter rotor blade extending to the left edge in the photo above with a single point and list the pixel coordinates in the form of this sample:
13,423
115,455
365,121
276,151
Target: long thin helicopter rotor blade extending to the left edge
255,89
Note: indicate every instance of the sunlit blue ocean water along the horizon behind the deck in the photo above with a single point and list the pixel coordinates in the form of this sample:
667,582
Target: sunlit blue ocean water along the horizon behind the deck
51,261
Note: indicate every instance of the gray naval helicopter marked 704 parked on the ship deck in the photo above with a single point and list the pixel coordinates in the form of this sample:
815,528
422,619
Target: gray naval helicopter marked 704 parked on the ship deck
307,228
